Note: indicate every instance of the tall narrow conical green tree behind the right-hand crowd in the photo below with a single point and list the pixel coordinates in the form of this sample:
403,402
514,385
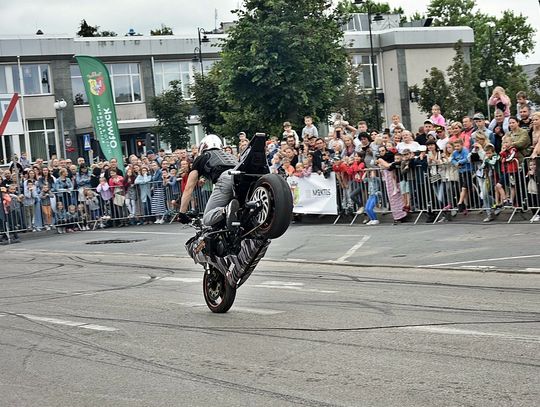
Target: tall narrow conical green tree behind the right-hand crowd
463,98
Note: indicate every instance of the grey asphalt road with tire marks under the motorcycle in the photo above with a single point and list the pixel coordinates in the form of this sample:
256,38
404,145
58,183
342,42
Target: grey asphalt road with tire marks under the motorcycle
126,324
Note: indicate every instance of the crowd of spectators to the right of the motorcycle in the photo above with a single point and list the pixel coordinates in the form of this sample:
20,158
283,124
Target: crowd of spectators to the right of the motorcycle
449,166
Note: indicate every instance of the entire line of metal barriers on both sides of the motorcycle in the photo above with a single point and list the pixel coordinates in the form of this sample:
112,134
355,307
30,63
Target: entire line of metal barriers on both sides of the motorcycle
437,190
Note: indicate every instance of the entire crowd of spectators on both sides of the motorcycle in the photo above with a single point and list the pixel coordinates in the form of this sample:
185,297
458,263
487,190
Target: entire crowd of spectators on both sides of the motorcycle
447,165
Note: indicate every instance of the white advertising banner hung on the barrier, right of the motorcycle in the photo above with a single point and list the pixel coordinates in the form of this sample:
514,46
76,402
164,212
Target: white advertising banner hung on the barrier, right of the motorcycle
314,194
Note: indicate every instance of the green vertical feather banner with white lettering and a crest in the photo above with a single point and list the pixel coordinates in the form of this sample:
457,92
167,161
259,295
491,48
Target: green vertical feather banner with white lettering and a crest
100,97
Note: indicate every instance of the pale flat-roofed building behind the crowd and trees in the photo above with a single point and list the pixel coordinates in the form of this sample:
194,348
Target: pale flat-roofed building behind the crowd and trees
42,70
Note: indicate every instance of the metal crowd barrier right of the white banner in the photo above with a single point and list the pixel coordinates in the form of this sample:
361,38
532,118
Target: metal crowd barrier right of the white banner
441,191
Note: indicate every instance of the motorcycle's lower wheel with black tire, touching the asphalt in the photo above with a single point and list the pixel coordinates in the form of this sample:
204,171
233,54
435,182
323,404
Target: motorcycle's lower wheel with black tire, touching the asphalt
219,295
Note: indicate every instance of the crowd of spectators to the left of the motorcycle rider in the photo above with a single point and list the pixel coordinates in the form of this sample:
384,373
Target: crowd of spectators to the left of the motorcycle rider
71,197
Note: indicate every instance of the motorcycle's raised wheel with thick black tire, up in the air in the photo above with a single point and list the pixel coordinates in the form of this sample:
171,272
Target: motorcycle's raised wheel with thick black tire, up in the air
274,193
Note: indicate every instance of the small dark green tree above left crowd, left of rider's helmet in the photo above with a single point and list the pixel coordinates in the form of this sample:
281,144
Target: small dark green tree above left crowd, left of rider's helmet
171,112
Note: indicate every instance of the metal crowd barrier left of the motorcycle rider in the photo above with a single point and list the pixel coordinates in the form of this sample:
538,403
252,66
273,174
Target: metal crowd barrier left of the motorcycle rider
85,208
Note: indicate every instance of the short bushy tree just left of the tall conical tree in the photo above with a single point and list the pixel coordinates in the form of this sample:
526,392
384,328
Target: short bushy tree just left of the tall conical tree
434,91
